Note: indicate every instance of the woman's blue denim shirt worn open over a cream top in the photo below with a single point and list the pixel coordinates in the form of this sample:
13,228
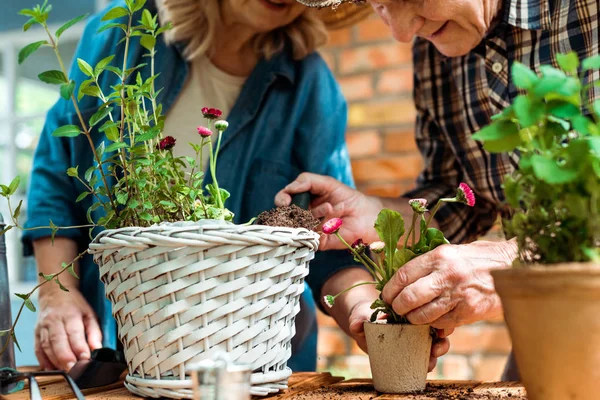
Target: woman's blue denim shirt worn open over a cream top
290,117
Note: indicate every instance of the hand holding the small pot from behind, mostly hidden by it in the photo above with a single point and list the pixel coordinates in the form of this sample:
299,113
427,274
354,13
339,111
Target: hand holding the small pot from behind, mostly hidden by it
362,312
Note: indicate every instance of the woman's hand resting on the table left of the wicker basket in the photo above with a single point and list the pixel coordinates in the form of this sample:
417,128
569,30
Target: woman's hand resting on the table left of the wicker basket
65,319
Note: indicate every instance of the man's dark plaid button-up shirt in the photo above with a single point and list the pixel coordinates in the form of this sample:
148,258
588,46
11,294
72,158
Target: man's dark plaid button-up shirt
455,97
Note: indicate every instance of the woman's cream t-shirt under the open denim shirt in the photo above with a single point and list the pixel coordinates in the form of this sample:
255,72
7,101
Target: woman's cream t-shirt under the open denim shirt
206,86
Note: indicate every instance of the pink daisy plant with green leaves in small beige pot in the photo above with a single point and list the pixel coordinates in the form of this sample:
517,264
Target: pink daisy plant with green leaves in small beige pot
398,351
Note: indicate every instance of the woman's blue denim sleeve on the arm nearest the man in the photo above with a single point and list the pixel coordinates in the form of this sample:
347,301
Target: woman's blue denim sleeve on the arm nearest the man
323,150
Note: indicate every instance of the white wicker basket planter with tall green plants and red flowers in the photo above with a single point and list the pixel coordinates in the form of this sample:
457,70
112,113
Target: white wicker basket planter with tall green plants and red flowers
183,280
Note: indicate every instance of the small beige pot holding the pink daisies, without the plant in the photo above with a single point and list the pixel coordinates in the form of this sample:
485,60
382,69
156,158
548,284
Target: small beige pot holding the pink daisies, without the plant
399,356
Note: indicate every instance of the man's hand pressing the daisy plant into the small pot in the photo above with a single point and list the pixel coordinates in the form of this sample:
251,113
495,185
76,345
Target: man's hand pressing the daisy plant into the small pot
451,285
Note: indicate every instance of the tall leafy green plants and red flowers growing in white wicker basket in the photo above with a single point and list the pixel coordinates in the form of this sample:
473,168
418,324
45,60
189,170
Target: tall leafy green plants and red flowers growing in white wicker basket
135,180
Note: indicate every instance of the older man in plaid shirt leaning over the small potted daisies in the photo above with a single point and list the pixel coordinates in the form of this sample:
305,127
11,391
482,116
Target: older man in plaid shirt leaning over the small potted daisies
462,56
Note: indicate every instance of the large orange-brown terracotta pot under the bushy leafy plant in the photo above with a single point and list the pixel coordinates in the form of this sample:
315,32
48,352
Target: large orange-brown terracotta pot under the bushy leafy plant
553,315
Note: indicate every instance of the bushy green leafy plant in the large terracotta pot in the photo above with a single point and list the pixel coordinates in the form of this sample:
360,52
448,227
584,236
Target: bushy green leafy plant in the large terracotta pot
551,297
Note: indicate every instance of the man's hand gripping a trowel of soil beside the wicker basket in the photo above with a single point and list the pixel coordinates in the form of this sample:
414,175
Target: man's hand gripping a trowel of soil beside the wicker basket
333,199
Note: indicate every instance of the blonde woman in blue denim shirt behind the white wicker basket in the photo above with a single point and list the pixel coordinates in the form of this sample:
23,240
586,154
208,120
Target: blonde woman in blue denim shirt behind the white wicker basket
255,61
